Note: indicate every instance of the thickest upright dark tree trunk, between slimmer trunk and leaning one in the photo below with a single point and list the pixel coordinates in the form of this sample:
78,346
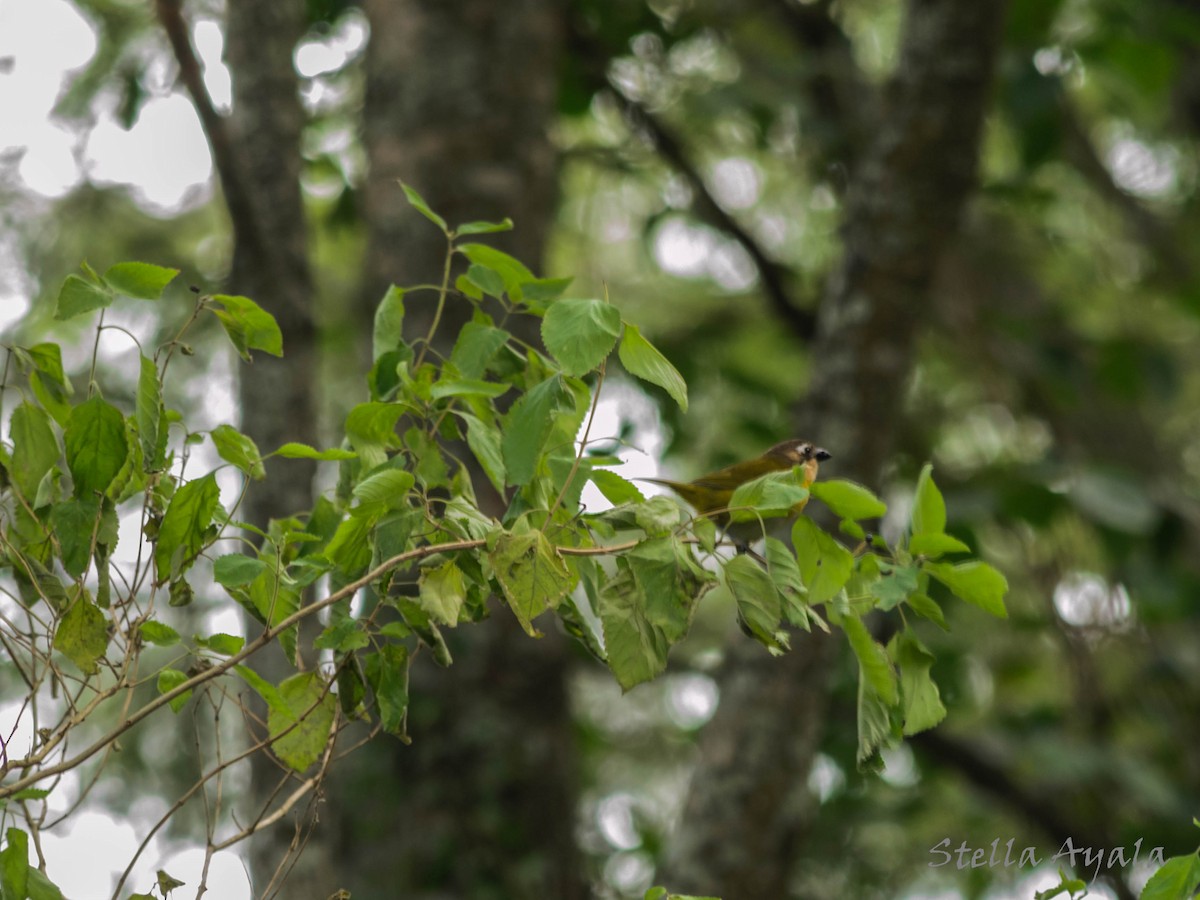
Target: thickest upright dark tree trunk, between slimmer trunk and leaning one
459,104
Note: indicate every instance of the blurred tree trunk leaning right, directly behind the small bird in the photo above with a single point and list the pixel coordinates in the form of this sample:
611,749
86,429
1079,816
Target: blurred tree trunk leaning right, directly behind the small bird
749,807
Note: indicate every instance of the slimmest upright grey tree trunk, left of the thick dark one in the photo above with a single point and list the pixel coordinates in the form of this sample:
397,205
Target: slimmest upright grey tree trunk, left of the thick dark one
271,266
